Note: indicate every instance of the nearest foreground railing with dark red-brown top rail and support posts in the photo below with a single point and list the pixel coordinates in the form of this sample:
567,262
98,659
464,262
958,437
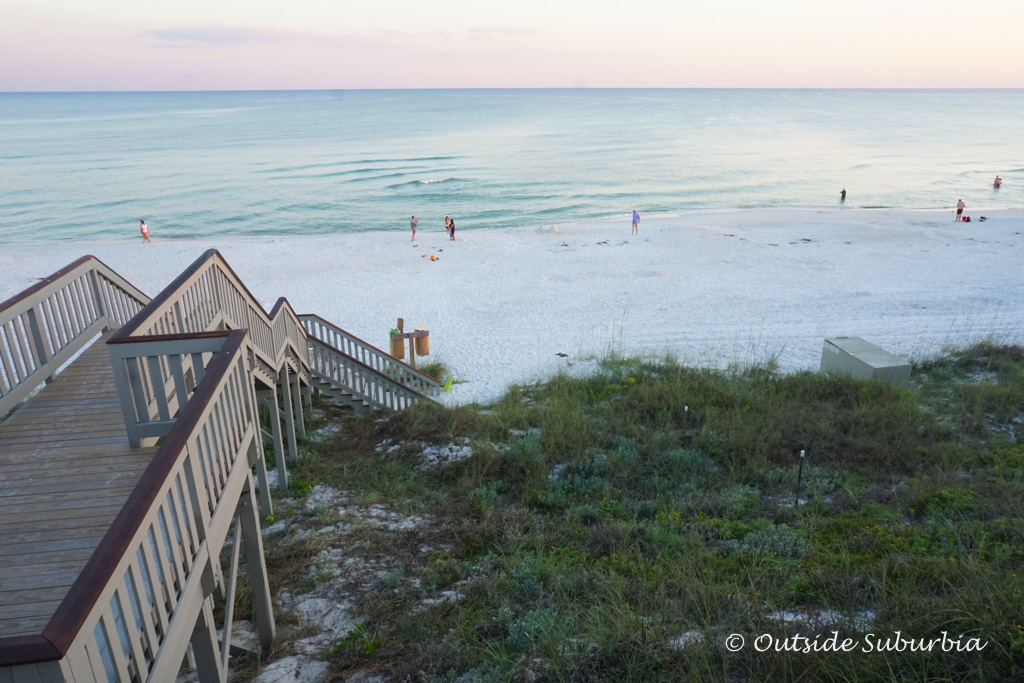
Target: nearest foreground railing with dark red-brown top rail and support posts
147,591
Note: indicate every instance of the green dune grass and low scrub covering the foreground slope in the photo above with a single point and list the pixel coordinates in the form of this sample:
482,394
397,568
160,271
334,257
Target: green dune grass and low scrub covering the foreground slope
623,526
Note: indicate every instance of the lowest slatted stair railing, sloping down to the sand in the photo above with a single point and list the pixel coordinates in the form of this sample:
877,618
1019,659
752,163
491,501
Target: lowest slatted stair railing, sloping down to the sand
360,379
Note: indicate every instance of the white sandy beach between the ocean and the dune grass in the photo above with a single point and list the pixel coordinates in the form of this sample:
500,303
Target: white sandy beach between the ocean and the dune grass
711,288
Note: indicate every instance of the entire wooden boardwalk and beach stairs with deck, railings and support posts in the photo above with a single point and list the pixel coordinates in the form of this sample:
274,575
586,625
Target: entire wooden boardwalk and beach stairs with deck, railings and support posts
180,443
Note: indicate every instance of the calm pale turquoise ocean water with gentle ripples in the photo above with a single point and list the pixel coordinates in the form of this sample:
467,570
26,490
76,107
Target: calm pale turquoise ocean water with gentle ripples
88,166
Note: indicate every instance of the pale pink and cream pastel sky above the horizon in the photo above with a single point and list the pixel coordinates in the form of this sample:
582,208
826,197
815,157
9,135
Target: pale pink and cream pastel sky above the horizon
297,45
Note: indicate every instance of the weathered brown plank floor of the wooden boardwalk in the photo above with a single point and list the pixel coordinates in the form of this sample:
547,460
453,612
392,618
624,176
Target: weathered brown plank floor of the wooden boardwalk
67,471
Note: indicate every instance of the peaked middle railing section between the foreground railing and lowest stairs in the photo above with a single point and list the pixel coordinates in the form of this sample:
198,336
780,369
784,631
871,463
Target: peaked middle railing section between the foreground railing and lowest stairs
154,354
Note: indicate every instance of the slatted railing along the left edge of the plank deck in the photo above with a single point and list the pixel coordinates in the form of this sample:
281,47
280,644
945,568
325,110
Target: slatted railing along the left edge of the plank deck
47,325
